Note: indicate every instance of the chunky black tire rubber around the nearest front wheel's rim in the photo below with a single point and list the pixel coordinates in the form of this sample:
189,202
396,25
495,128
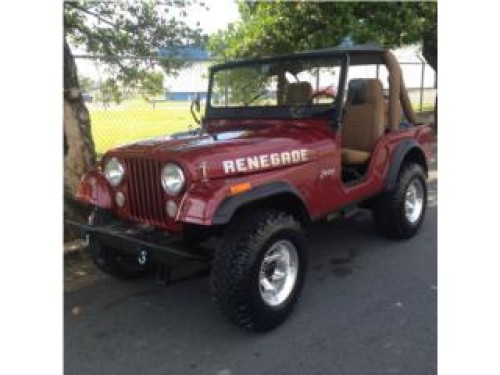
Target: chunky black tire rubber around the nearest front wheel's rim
236,265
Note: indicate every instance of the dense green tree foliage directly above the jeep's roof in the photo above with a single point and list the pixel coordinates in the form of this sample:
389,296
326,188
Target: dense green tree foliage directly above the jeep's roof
280,27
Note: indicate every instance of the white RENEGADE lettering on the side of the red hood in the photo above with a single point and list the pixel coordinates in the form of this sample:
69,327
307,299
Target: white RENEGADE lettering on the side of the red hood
263,161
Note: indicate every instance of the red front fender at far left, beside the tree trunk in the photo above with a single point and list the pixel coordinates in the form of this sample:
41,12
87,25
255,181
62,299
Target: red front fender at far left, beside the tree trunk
95,190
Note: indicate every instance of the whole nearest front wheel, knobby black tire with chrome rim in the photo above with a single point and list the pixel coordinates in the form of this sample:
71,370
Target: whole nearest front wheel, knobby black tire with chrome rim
258,272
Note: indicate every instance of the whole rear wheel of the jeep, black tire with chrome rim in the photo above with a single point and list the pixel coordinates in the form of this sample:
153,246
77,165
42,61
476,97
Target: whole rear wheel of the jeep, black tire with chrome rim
399,213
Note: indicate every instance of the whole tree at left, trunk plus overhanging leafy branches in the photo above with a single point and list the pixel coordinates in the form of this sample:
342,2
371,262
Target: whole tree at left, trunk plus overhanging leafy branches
127,37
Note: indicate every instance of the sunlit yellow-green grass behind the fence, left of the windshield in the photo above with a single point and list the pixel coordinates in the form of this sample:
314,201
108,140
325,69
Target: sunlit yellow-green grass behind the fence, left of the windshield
136,119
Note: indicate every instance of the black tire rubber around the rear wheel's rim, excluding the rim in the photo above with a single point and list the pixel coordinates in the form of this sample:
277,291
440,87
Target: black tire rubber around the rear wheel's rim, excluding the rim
389,208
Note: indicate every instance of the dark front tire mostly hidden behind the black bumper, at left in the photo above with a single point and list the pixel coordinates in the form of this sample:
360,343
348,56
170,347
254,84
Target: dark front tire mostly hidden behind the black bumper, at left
111,260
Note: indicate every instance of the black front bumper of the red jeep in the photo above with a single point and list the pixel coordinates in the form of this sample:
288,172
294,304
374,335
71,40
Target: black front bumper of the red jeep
134,239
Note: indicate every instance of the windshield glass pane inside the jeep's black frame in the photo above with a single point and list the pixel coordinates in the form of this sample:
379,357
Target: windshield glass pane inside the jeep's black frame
304,82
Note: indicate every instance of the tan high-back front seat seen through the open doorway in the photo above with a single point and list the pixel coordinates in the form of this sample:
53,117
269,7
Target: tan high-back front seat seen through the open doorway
364,120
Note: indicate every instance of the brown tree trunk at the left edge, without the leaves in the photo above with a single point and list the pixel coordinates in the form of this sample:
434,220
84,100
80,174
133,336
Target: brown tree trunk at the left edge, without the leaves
79,152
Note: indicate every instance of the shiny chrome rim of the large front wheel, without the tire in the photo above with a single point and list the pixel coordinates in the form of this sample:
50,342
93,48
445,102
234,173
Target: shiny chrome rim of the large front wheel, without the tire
278,272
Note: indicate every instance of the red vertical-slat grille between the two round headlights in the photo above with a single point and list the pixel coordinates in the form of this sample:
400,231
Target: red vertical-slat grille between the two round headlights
145,194
